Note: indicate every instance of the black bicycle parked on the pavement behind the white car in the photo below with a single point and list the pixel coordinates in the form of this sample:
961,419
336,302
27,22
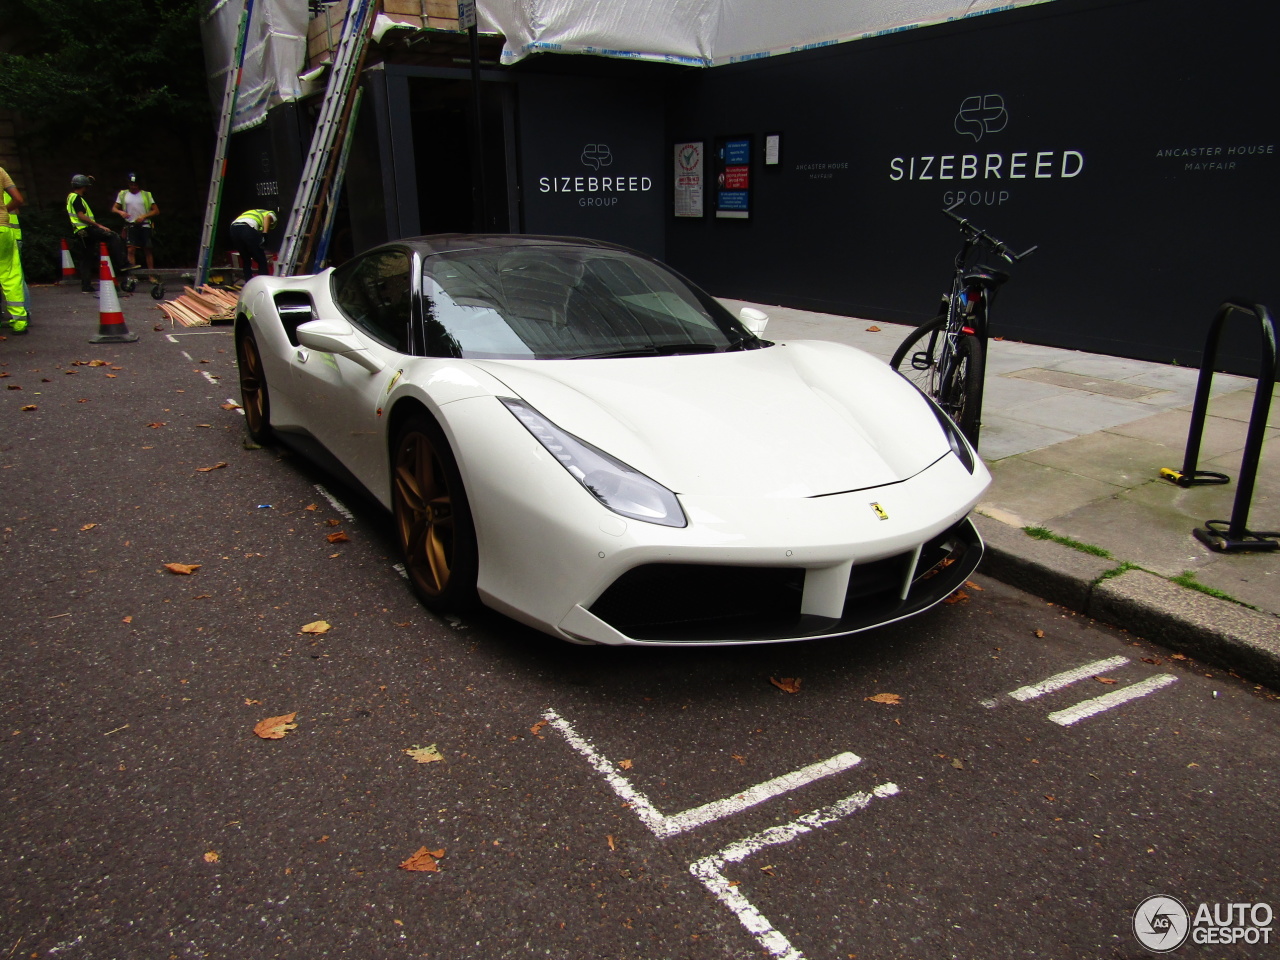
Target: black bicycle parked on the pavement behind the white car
953,367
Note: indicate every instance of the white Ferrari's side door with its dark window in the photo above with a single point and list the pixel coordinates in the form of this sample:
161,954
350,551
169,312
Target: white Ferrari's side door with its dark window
374,295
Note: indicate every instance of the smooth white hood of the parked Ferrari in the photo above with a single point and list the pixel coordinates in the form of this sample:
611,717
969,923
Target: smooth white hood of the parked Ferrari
793,420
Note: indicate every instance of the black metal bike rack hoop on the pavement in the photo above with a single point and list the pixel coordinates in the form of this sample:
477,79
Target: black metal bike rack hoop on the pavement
1219,534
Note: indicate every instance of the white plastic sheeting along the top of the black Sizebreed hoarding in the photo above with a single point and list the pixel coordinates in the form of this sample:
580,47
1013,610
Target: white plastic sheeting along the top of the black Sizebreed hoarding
708,33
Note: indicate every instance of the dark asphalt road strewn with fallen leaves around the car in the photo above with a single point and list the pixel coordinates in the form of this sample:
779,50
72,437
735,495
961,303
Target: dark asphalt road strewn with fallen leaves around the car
591,802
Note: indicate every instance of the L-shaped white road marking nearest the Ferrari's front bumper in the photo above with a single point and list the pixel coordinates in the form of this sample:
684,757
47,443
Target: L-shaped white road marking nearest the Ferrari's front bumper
665,826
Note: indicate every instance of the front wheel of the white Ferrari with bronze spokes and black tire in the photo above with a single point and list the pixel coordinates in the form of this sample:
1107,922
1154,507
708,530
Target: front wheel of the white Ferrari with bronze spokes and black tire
433,520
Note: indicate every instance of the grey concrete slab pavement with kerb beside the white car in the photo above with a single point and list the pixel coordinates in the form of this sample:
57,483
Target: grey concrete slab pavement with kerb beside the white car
1076,444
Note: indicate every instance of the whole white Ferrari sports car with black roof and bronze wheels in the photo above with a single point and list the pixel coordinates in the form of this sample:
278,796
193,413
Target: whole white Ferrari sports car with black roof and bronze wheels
575,436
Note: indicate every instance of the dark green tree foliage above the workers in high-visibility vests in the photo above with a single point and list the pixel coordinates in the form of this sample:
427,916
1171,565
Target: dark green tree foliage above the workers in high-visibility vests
89,68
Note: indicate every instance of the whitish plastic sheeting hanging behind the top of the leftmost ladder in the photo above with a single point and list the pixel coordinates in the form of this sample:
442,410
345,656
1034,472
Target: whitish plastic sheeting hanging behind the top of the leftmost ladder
276,52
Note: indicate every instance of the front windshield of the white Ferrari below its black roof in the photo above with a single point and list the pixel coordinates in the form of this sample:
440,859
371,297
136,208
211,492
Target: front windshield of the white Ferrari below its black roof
560,303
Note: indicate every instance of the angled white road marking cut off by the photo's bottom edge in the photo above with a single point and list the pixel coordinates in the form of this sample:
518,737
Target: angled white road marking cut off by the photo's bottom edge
710,870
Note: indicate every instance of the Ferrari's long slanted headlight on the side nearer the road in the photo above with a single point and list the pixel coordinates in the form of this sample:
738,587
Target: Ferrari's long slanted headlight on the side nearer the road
623,490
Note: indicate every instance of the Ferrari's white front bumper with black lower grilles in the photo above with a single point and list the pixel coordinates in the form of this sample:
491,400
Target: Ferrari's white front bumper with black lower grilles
742,572
